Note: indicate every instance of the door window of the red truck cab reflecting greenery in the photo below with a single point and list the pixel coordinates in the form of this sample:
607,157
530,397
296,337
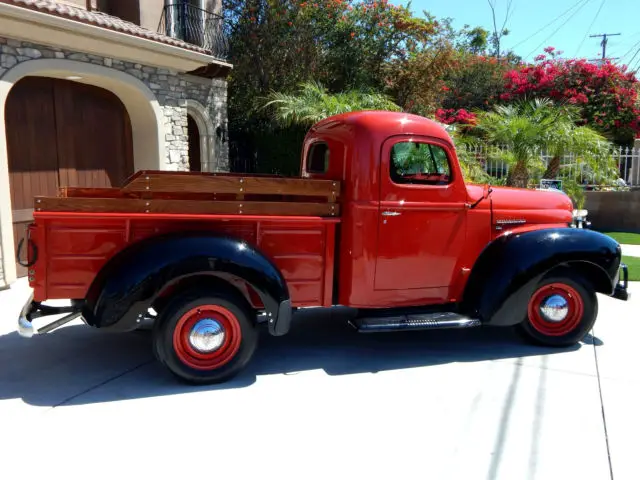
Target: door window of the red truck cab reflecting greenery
419,163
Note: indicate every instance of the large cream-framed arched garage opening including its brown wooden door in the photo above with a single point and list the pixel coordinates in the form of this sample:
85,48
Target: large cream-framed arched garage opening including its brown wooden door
79,94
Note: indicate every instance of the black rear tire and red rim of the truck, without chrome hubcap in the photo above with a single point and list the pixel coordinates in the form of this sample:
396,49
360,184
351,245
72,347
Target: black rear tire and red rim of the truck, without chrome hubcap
240,348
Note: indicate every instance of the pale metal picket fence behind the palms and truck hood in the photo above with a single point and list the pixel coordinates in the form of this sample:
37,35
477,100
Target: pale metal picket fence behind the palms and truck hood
625,159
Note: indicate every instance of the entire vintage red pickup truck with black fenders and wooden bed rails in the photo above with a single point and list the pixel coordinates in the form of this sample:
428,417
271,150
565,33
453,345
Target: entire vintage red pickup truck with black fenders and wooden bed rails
380,220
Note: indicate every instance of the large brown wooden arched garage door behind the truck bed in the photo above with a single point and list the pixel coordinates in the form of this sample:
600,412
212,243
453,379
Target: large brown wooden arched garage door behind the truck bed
63,133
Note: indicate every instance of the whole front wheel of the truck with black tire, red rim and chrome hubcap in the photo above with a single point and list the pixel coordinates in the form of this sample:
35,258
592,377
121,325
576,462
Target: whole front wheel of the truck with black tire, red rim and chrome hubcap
561,311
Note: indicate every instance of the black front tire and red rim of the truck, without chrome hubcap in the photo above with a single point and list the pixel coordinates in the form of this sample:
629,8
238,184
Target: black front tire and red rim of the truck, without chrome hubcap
574,331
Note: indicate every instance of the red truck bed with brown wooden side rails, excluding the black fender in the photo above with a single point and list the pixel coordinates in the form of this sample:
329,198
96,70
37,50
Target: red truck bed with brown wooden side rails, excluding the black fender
292,221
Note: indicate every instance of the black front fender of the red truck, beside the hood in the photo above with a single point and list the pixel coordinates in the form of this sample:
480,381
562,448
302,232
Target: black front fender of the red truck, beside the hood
506,274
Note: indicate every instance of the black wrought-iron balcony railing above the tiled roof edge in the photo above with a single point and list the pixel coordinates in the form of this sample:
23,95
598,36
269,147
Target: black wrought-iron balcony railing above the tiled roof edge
196,26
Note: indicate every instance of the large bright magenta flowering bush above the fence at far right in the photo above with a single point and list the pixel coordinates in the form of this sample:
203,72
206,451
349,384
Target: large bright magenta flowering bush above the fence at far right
606,93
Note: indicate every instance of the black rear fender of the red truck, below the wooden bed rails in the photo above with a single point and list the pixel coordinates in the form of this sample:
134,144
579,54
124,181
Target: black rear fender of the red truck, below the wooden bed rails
126,287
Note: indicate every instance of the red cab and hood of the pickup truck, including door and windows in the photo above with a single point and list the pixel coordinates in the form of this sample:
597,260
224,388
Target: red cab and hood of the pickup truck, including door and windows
412,232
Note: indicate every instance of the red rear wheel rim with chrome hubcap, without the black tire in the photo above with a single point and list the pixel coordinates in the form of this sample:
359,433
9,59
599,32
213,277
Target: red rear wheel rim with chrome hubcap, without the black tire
207,337
